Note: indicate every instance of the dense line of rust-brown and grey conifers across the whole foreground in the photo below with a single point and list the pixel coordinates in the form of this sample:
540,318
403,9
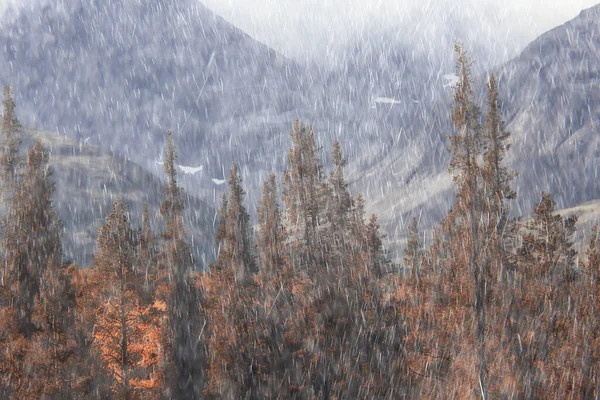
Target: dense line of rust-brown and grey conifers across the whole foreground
307,305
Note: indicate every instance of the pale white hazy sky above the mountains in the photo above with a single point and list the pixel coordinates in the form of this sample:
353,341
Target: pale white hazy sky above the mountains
307,27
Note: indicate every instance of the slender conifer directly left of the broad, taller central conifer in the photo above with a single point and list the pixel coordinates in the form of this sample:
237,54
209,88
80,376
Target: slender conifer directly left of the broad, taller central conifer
274,303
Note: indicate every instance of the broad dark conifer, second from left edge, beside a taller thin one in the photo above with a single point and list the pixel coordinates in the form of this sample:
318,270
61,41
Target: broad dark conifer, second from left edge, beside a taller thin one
37,283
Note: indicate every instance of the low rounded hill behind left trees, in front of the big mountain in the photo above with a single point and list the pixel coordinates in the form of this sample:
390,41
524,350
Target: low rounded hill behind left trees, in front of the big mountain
89,179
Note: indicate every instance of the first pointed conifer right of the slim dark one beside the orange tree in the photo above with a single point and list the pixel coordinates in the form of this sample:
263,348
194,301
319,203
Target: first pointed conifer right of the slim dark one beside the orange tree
232,288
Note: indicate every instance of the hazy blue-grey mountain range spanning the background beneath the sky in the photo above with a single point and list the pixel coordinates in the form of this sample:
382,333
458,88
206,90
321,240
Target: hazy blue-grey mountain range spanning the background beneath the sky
120,73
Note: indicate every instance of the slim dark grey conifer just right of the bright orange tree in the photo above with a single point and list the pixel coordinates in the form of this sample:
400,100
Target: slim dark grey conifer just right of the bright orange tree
185,317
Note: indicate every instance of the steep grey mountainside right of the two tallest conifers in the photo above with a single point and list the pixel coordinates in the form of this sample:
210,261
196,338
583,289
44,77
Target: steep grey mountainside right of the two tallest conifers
552,105
